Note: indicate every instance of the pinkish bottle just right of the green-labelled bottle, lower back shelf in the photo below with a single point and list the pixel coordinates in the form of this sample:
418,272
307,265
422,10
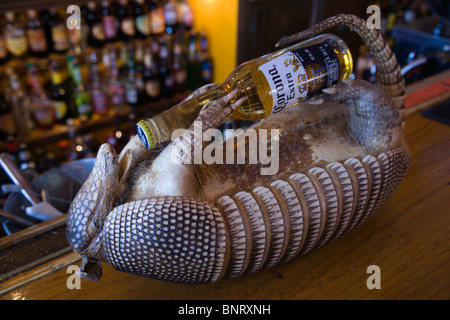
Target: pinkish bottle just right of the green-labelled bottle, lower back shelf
97,88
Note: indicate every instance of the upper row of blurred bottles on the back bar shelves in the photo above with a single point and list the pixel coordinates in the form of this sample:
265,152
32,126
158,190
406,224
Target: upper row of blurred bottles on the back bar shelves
39,33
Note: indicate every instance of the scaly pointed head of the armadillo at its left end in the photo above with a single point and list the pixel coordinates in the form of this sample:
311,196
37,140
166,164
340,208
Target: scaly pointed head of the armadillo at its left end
91,205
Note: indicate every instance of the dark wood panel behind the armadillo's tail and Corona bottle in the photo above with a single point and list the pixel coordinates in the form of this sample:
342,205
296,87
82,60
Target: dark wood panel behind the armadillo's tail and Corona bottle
263,22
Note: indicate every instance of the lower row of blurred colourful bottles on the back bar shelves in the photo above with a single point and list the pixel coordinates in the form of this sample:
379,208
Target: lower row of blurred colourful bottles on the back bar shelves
98,81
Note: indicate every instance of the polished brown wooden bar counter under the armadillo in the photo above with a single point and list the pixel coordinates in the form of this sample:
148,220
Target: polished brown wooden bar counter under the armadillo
408,239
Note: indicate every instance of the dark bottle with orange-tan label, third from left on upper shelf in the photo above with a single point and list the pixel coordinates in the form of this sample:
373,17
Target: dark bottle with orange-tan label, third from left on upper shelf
57,31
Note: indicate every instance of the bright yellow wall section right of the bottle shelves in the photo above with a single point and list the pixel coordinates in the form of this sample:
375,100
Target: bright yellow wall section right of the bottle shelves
219,18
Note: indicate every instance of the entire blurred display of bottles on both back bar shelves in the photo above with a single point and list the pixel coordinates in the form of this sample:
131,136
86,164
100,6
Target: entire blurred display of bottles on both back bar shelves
128,56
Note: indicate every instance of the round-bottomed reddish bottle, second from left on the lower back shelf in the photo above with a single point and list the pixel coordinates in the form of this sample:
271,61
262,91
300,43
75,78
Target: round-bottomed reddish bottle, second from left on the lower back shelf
41,107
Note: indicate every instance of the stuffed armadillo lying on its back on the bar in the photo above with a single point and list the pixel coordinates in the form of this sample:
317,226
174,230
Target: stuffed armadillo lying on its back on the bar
339,160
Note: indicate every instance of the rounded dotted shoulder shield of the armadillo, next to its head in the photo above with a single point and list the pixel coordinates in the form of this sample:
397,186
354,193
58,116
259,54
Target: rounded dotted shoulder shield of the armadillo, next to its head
174,239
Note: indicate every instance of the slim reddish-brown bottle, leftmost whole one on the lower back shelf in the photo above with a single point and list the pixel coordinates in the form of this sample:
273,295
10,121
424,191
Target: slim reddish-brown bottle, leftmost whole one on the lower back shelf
20,104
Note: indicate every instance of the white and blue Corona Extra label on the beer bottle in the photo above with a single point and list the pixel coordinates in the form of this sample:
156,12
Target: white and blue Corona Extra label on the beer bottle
296,74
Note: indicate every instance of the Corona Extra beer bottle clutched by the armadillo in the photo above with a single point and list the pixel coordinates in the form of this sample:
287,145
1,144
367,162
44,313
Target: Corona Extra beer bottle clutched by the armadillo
272,83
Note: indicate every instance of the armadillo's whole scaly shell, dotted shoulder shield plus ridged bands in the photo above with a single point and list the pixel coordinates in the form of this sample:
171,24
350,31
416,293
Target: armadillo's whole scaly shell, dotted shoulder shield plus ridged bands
186,240
